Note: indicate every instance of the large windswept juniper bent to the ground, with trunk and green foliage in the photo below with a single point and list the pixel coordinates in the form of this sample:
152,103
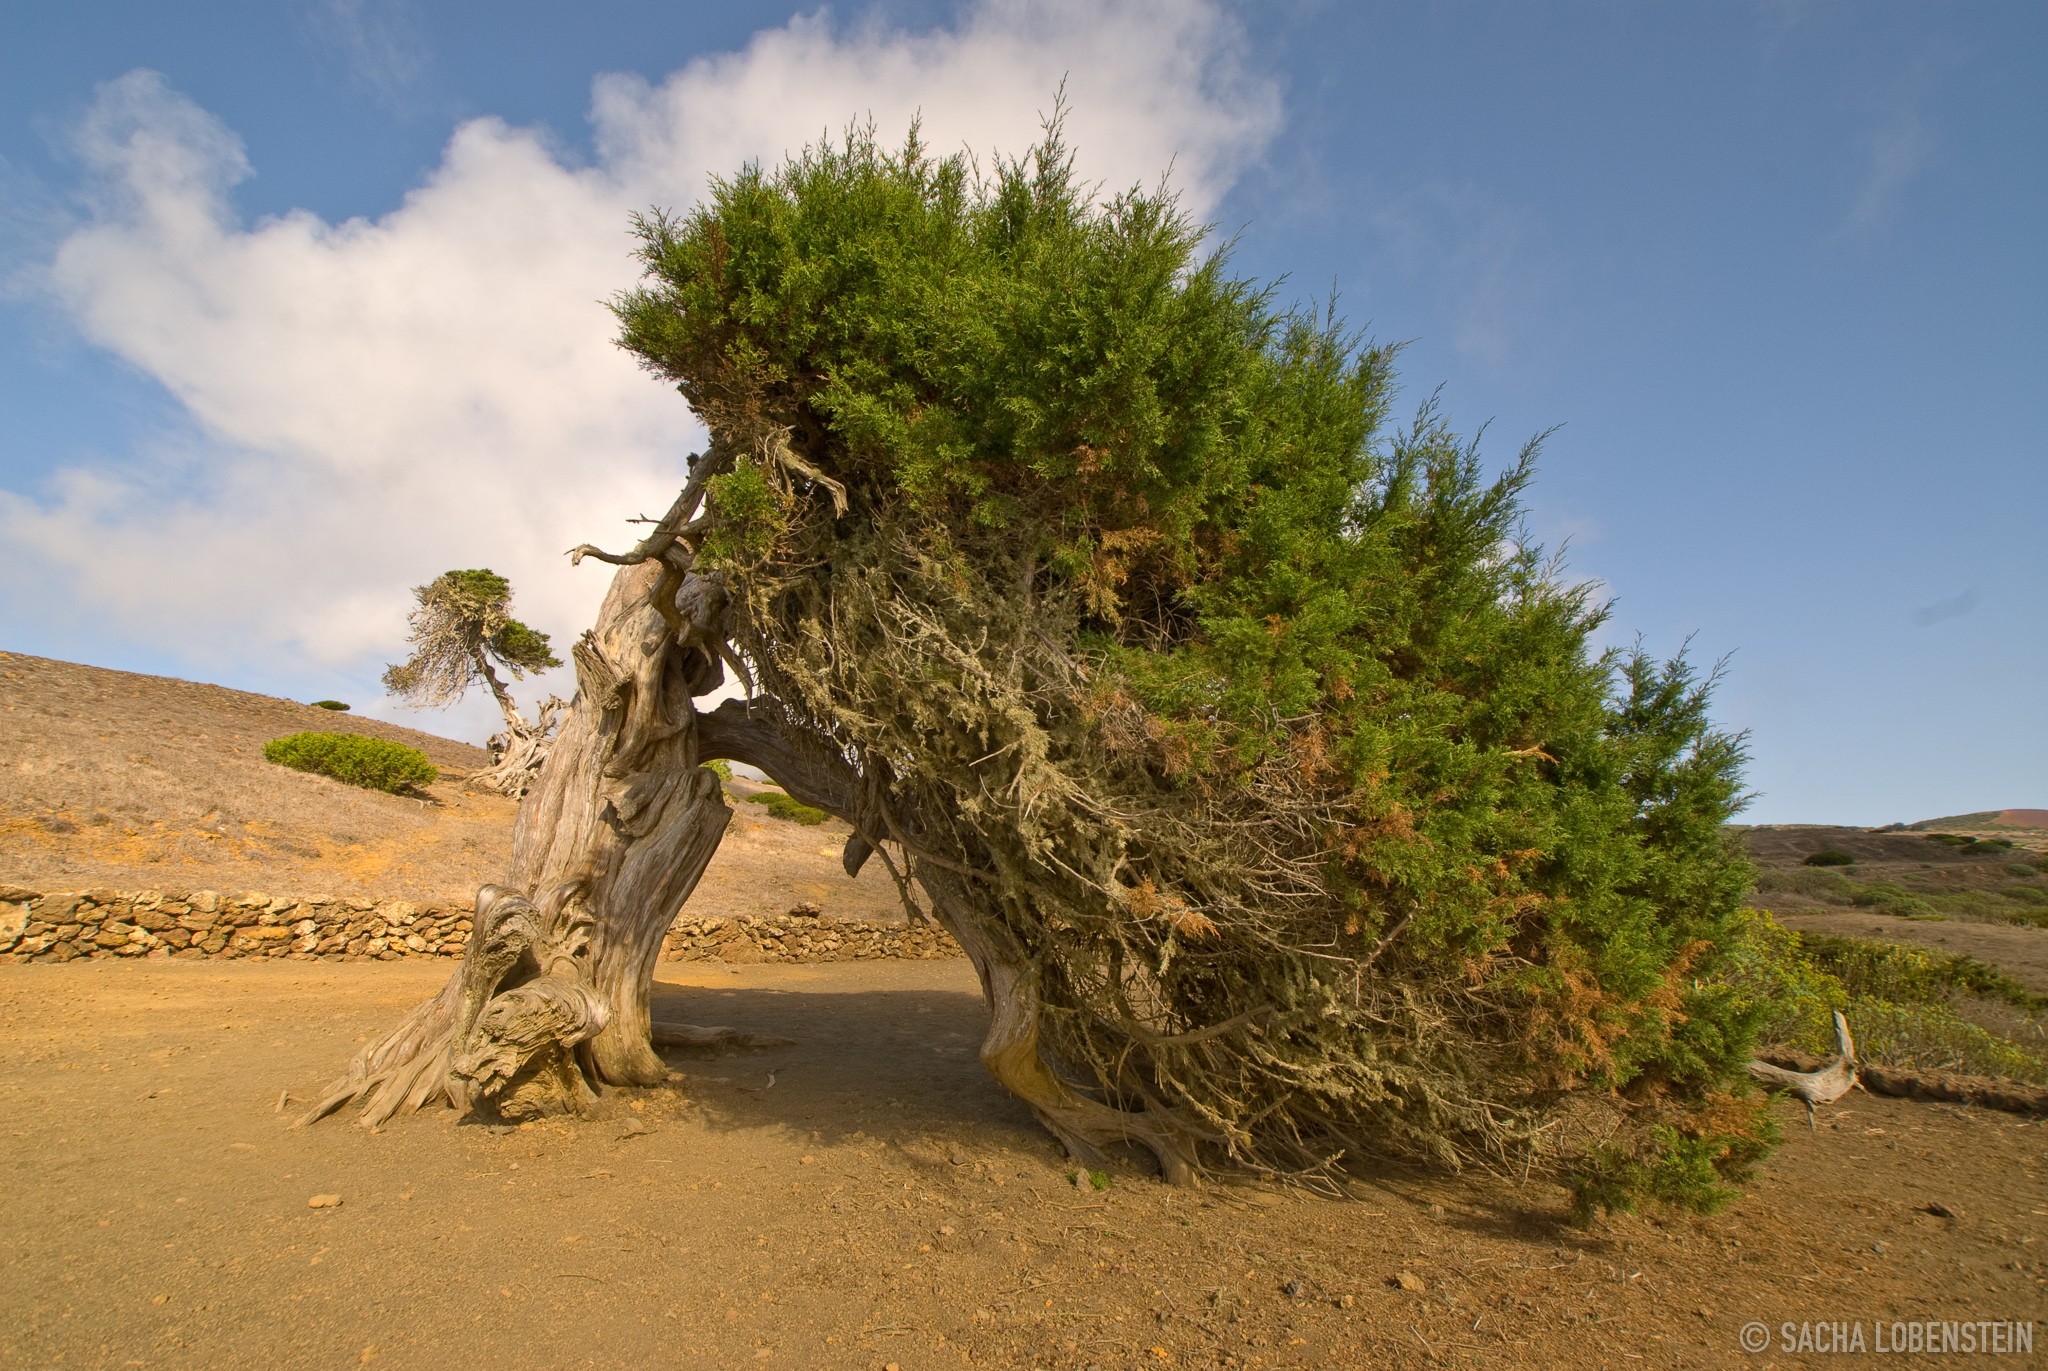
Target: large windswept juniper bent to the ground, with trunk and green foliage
1248,747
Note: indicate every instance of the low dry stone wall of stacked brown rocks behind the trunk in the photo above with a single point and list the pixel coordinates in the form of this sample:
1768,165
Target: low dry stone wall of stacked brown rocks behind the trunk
212,925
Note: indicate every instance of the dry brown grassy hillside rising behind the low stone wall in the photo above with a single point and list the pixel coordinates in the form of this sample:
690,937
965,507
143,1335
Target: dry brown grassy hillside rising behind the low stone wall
116,780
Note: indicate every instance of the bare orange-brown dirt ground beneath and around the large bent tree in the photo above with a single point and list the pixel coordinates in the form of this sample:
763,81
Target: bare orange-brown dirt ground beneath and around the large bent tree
869,1198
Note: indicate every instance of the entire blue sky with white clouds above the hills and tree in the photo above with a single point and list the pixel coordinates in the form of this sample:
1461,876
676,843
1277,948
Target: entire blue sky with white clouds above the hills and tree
302,308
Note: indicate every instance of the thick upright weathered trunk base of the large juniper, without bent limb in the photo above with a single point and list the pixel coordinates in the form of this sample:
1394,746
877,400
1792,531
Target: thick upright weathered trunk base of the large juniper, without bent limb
611,843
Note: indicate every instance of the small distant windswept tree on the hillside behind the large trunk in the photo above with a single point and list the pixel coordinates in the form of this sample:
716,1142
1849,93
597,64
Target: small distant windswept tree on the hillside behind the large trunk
462,628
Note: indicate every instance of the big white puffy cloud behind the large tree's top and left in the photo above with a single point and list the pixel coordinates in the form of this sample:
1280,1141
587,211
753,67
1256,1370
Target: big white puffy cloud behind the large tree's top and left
374,403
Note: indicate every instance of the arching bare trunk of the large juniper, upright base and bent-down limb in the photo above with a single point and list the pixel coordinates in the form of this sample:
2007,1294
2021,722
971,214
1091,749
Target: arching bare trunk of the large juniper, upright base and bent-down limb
554,991
